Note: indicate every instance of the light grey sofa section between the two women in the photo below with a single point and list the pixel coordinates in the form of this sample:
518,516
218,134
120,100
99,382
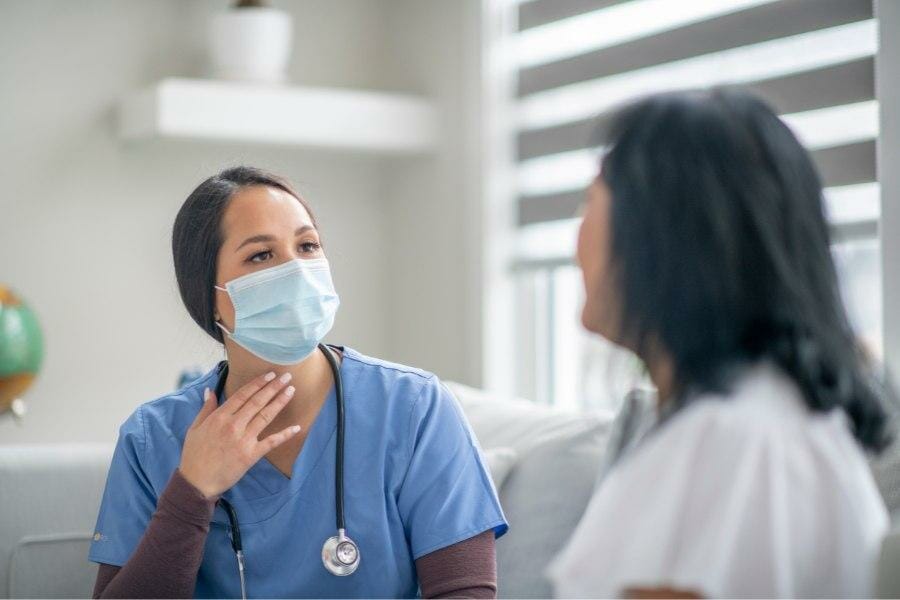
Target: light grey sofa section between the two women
559,455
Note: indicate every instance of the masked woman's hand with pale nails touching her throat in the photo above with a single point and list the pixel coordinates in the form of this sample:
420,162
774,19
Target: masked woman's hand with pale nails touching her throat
222,443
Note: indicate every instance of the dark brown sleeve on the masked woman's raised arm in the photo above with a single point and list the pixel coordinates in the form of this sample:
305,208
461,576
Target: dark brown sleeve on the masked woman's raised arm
166,561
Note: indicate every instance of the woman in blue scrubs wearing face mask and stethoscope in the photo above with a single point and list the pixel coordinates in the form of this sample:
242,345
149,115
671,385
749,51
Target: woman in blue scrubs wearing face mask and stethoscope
418,499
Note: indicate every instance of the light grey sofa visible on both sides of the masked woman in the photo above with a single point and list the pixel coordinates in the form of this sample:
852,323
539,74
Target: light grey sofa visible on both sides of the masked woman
49,497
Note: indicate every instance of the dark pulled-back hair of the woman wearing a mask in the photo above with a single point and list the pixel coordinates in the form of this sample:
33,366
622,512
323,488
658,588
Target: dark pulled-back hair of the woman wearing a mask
197,237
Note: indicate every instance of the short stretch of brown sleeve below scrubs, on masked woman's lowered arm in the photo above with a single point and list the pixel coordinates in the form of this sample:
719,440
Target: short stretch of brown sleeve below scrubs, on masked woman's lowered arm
467,569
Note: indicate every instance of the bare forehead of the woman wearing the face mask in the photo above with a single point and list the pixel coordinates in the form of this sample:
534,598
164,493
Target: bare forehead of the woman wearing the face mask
262,209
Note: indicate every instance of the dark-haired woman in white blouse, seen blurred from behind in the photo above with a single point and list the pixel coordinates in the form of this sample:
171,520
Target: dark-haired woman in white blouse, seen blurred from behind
704,250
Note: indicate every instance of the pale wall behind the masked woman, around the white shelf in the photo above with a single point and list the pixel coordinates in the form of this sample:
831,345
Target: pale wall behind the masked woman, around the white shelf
85,220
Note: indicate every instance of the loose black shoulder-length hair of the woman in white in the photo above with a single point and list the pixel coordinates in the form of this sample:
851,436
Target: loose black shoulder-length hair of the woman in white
721,252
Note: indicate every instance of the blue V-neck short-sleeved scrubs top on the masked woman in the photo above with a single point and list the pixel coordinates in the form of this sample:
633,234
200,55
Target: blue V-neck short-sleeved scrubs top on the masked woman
414,482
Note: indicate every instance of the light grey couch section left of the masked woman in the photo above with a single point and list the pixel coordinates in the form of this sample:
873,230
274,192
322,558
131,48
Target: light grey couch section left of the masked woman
49,496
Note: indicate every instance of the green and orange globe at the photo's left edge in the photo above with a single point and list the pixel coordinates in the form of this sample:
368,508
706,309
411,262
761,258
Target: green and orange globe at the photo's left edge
21,347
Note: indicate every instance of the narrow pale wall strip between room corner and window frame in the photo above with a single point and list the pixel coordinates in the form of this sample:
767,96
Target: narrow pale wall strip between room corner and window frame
435,205
